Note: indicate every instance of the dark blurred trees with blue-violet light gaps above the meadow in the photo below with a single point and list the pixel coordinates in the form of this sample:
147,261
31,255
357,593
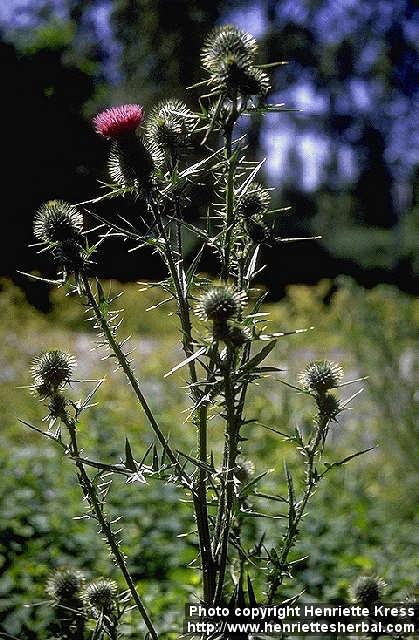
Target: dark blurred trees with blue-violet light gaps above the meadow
347,162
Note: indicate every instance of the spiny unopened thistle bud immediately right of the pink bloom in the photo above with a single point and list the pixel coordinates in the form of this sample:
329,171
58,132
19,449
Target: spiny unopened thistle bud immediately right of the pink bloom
169,127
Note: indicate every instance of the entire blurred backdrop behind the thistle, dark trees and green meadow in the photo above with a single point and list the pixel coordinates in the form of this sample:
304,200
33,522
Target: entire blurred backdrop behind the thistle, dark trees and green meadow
347,163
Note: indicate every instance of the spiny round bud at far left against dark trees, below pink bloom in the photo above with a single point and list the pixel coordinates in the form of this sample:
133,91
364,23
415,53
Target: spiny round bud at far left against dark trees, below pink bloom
57,220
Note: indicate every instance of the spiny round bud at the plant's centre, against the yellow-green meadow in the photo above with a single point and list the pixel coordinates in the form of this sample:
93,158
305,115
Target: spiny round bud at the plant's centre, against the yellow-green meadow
220,303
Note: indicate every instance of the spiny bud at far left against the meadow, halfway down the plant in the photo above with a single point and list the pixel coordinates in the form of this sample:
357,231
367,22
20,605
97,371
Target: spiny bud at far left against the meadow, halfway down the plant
51,370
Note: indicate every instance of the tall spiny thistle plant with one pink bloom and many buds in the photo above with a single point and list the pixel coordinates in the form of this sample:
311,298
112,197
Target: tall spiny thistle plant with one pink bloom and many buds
157,159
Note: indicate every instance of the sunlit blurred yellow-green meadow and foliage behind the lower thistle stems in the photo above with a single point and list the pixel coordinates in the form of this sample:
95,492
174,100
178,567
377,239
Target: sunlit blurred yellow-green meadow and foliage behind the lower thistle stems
362,520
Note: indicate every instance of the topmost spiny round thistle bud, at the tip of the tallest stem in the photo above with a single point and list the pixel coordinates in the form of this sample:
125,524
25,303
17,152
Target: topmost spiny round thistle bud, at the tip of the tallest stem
227,41
